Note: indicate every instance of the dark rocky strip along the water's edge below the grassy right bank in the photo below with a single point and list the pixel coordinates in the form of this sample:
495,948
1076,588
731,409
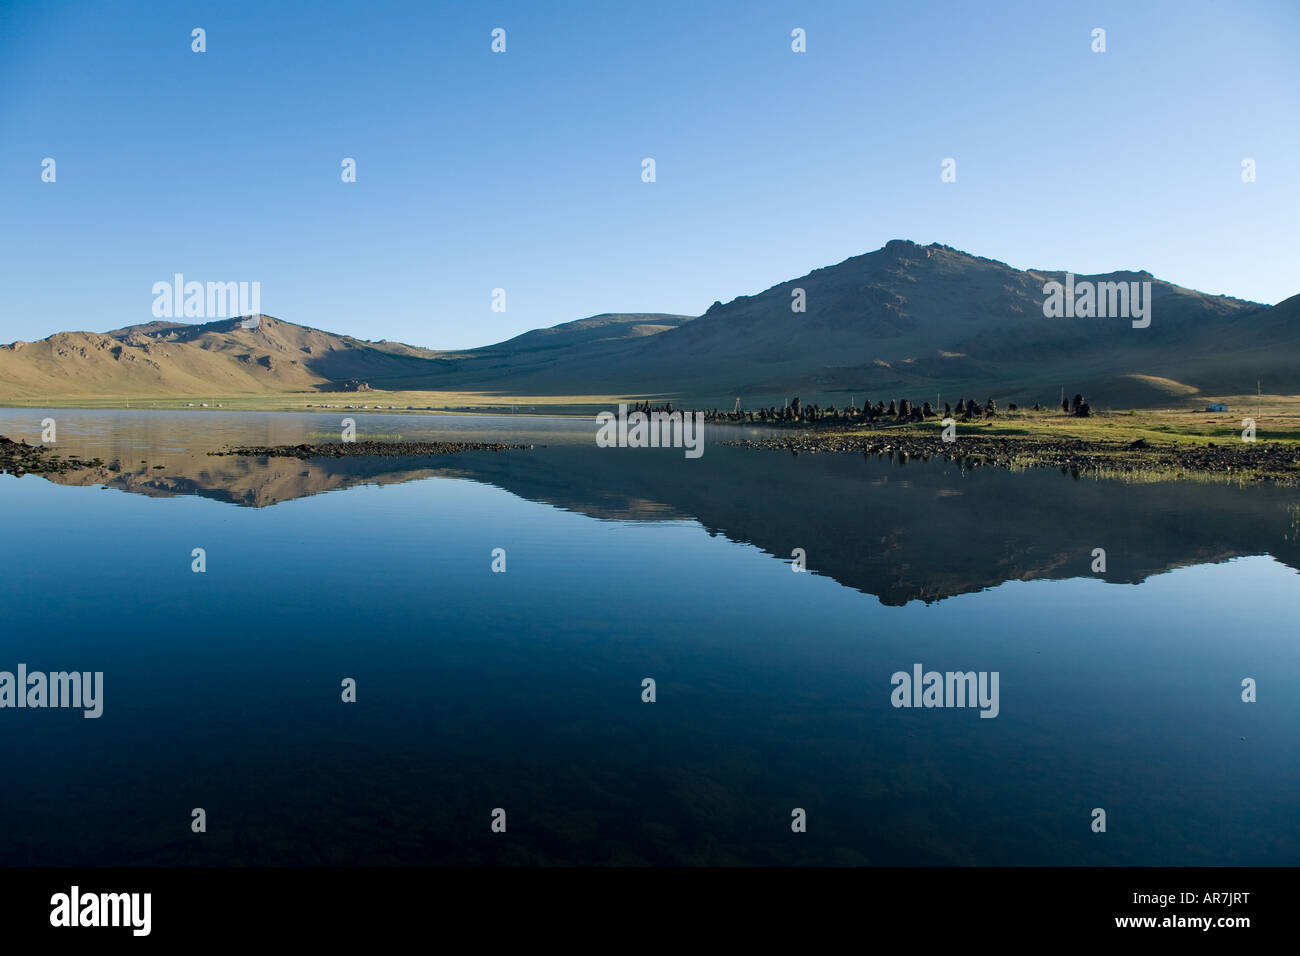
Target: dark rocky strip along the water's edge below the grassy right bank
1246,461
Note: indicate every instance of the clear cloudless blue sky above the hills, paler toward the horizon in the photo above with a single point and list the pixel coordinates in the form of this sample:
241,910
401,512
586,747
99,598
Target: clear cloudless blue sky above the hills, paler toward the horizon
523,170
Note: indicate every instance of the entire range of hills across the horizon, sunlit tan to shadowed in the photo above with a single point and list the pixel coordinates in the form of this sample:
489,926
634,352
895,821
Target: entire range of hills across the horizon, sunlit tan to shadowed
907,321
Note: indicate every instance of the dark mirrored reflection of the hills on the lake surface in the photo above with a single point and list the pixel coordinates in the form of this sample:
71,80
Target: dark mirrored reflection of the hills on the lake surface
900,531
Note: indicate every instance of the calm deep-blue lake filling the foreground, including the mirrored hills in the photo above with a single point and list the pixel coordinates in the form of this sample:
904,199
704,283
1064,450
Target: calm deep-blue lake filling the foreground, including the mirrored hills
1120,690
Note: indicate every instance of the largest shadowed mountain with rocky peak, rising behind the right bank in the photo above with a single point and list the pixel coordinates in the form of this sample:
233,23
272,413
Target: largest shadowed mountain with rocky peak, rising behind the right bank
909,321
